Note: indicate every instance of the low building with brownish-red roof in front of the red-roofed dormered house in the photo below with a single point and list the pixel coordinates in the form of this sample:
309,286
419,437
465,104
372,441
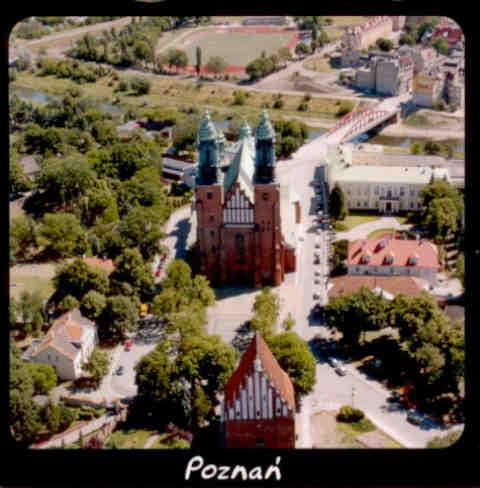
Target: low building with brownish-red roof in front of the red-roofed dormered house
386,286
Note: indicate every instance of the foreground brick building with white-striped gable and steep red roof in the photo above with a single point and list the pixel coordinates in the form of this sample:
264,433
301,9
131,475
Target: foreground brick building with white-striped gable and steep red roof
258,408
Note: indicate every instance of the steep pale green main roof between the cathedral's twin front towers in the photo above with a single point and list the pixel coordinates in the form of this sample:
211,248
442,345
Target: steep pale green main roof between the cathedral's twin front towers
242,168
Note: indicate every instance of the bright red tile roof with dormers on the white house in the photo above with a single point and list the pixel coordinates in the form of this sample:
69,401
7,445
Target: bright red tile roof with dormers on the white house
402,250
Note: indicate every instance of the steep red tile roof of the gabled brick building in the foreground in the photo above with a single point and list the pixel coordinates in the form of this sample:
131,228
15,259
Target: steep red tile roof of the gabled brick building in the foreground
258,349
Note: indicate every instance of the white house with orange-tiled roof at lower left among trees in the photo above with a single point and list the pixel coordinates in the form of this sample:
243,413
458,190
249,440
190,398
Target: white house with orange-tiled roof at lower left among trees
67,346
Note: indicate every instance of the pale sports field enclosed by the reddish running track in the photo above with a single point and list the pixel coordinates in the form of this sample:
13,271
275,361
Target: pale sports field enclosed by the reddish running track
237,48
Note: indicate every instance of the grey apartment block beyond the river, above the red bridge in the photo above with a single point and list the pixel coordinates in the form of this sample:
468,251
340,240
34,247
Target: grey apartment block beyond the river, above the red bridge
386,75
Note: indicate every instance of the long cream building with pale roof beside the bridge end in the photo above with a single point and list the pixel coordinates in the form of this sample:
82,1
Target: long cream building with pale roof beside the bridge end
374,187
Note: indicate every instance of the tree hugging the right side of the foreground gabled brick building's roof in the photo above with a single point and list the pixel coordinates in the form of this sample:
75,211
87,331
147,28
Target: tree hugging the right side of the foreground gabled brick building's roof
296,360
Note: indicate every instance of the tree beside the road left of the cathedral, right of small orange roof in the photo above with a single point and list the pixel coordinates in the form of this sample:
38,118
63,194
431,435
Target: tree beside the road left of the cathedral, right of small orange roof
131,268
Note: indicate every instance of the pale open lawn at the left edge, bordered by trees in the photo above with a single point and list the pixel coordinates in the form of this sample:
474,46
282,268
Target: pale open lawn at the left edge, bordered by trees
32,277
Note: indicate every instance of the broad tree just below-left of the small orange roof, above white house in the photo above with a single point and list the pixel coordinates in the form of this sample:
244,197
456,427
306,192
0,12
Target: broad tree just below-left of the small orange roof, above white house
77,279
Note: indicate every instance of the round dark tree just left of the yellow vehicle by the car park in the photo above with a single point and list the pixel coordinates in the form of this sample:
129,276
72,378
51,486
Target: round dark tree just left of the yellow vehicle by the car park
118,317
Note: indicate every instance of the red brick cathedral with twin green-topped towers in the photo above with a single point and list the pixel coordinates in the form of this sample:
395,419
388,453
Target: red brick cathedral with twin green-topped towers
245,219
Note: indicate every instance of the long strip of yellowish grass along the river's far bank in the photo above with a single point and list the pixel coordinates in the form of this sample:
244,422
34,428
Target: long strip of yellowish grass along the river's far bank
172,92
